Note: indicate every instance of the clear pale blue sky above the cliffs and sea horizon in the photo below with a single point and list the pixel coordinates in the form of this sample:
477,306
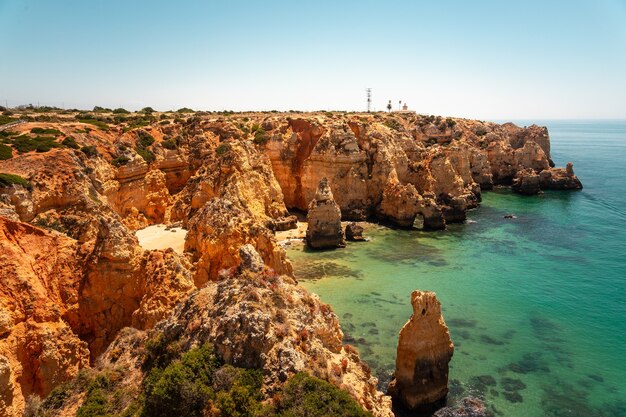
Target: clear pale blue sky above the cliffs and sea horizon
483,59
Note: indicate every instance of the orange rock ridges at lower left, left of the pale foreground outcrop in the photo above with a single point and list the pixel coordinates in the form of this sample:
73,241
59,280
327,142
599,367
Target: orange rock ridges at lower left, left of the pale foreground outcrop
61,303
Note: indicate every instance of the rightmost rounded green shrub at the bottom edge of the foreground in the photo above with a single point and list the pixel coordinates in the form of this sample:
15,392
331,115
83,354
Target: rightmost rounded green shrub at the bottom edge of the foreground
304,395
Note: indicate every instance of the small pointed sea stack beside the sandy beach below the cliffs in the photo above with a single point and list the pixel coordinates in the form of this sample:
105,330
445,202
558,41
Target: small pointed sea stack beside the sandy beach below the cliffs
324,220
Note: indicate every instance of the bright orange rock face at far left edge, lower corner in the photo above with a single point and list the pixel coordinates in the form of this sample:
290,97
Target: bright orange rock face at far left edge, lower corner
39,285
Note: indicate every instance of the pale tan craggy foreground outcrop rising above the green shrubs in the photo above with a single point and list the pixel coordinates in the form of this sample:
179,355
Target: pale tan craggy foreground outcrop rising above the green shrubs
260,320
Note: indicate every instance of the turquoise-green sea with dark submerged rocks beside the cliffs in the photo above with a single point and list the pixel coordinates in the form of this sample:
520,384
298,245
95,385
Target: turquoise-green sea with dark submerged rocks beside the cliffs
536,305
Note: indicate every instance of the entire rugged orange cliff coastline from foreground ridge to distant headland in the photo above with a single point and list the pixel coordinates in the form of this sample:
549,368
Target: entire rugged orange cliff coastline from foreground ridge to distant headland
74,277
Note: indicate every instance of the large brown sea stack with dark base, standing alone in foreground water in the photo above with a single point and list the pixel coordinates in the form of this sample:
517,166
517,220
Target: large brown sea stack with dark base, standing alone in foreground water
420,381
